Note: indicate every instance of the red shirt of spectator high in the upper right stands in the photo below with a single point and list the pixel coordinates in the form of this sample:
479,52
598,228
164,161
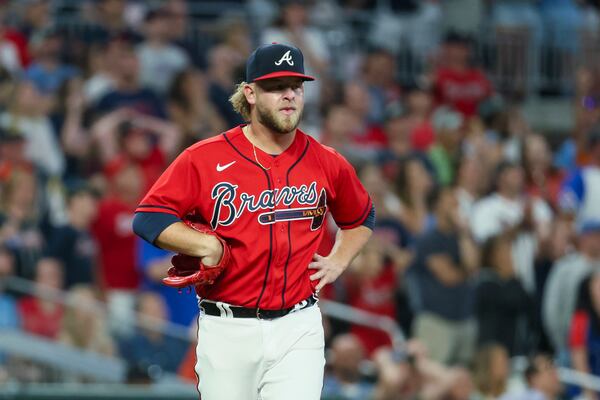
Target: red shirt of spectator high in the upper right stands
463,90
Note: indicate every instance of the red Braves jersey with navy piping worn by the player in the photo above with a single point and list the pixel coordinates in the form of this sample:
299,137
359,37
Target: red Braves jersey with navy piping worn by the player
273,217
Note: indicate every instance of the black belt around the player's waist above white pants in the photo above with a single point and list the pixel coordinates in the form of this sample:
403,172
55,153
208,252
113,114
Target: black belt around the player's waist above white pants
225,310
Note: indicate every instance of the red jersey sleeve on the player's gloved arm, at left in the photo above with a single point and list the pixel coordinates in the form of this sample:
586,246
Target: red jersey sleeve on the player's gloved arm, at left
177,189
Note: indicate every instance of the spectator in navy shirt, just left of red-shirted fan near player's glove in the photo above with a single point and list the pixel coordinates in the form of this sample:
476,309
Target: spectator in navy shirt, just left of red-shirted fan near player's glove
72,244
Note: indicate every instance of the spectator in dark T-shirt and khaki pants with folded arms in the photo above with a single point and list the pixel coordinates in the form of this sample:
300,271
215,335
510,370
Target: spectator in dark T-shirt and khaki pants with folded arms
441,294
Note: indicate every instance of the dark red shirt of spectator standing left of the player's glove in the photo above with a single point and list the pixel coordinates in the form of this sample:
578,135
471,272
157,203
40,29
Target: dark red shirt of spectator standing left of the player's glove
114,233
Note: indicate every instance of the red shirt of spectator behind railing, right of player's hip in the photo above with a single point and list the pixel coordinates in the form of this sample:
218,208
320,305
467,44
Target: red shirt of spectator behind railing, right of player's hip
375,295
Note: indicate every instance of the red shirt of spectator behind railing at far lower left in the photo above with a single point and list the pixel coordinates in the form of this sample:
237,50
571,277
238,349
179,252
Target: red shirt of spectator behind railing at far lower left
39,321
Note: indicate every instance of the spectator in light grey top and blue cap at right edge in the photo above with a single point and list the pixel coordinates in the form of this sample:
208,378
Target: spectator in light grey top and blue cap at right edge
560,294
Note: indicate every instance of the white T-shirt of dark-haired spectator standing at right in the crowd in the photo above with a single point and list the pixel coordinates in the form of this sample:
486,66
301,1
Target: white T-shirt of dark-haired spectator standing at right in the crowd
495,214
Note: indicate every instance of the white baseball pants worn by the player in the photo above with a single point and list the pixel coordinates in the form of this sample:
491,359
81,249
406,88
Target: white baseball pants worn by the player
252,359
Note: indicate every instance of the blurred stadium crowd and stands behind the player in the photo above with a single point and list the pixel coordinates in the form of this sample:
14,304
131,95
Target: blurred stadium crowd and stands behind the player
472,123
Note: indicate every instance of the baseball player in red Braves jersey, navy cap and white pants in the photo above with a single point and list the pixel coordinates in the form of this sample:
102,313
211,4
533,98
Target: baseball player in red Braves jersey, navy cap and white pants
246,211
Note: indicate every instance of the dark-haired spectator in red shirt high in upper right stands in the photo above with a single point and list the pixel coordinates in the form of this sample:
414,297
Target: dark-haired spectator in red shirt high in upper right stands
457,83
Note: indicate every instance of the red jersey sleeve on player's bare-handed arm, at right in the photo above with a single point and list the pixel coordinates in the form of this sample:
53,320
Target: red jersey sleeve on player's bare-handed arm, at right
352,204
